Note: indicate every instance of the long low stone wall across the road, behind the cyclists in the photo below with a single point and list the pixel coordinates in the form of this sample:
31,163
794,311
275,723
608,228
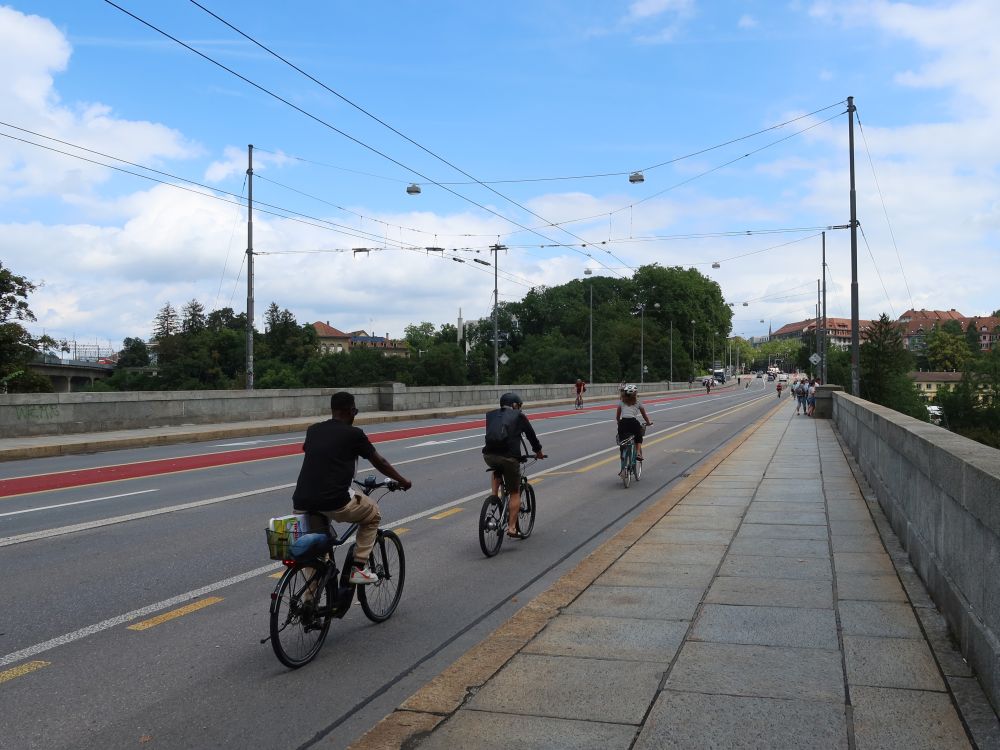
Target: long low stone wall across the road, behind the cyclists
24,415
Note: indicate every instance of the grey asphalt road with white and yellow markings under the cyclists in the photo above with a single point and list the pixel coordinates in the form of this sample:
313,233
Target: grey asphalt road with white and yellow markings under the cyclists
181,554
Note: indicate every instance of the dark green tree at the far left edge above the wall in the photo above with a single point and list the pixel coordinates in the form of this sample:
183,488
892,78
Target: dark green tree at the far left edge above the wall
17,346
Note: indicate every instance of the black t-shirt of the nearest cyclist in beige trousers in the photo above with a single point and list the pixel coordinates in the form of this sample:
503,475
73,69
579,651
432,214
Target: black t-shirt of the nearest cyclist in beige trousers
332,449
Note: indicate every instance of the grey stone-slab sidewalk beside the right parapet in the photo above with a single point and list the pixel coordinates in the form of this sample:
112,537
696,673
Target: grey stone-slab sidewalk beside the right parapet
762,611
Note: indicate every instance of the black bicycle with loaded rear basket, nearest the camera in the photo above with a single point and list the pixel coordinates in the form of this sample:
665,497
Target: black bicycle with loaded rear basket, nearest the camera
312,591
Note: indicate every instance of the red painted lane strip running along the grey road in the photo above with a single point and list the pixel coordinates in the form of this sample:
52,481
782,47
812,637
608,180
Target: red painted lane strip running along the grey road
118,472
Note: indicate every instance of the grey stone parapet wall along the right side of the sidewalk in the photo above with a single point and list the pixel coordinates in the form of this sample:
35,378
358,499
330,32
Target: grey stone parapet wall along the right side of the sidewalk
941,493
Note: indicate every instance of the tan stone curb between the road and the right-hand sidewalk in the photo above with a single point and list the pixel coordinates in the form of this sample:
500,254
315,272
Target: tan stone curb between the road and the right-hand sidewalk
419,714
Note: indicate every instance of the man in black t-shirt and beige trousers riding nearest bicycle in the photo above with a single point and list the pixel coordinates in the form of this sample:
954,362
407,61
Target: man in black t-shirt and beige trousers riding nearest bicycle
324,487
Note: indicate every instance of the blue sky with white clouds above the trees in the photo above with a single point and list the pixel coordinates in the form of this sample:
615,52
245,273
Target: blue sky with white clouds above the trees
514,91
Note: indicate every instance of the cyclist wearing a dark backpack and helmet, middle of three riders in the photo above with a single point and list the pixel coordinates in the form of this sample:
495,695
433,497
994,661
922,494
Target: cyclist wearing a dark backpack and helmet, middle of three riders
502,453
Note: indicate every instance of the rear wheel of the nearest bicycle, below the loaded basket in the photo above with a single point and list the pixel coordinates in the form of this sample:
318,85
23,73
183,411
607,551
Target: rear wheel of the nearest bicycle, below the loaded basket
297,634
